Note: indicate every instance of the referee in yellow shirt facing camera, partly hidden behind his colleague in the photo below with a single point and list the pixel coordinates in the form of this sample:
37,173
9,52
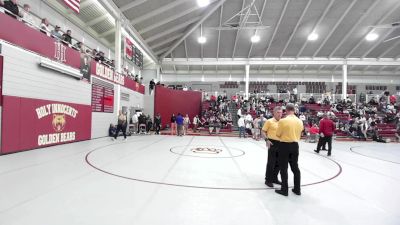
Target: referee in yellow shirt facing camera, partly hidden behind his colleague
272,141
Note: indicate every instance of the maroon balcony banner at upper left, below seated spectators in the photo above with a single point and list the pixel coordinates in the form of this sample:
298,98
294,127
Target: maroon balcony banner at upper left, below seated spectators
31,39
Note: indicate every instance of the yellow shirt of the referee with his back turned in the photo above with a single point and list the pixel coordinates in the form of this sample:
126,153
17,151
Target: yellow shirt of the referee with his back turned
289,129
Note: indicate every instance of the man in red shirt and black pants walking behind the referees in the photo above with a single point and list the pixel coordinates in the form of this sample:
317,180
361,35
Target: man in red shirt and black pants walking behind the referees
326,129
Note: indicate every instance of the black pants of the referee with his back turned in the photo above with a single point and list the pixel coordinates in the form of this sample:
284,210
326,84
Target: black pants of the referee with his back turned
289,153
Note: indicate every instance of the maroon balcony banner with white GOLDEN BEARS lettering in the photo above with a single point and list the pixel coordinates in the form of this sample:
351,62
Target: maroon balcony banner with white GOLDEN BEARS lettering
108,73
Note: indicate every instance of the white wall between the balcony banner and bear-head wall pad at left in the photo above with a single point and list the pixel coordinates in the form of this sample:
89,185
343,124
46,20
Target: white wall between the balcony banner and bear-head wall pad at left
24,77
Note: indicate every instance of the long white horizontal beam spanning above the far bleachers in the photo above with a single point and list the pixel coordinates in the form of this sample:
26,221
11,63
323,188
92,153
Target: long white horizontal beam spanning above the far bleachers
276,61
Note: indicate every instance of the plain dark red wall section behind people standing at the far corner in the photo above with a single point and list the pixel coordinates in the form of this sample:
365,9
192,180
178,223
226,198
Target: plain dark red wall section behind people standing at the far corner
168,101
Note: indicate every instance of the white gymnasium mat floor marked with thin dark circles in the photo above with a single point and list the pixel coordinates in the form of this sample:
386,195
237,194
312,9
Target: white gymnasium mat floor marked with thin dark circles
162,180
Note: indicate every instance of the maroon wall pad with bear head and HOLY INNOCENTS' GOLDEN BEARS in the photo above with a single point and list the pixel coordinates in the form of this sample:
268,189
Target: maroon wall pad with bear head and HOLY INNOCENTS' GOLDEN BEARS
32,123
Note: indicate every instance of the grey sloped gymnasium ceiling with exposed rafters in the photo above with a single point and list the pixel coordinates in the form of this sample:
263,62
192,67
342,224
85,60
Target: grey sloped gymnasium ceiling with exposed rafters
171,28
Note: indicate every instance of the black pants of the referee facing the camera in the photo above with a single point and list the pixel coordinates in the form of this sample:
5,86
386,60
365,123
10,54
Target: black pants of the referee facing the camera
272,169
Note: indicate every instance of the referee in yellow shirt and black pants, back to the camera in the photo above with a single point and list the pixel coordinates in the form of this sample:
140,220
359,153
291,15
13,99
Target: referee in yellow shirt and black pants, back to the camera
289,132
